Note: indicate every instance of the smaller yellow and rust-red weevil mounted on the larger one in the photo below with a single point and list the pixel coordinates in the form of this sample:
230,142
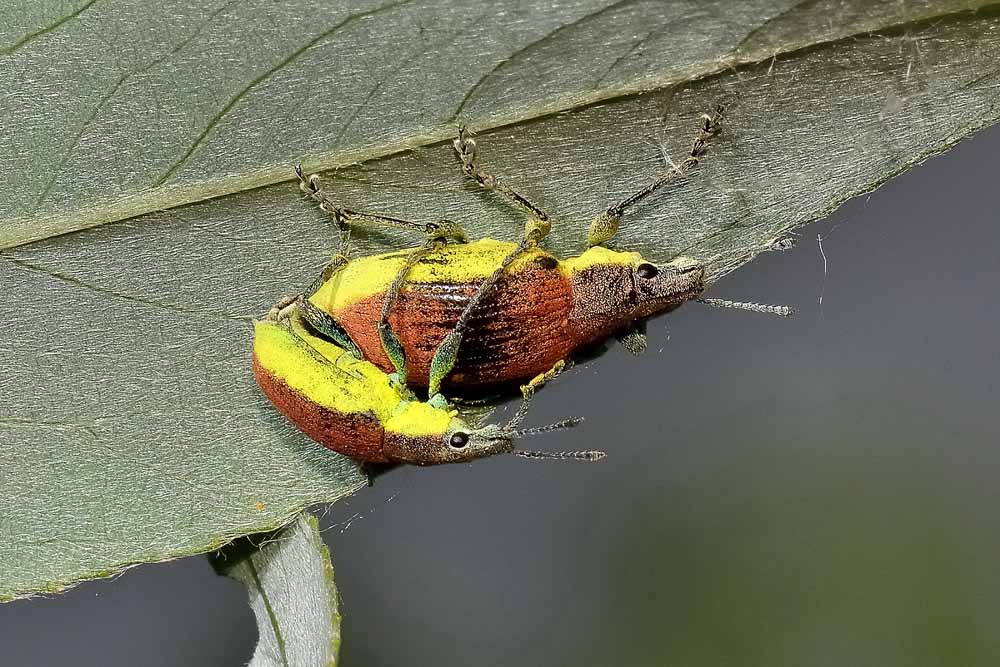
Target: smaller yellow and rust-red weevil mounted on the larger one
351,406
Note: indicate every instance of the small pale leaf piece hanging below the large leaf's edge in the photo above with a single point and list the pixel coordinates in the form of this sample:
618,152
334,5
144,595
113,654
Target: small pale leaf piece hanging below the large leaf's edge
289,577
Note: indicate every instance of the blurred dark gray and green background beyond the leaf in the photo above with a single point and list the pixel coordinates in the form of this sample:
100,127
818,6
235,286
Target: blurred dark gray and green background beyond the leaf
813,491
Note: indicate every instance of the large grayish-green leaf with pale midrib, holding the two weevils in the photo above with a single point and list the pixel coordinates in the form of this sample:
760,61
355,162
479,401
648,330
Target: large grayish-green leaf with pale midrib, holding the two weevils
130,428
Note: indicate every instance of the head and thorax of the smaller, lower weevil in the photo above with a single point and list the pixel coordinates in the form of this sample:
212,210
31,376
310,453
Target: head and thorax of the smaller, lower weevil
424,435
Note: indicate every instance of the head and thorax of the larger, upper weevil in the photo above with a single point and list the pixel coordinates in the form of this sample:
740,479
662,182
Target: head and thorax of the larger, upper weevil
612,289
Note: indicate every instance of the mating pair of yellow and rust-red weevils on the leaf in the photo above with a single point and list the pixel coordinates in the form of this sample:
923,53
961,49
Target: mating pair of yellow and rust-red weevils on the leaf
459,316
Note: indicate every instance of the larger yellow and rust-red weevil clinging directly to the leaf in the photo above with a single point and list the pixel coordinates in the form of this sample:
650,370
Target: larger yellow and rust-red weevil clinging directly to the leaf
472,315
